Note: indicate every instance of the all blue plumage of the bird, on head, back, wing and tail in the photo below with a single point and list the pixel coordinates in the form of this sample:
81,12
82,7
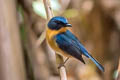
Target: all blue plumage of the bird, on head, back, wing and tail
68,42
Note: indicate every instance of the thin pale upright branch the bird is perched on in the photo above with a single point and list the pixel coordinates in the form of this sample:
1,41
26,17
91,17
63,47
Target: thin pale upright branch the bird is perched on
59,59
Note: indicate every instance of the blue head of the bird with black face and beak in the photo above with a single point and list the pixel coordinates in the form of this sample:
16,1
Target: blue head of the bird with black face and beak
58,22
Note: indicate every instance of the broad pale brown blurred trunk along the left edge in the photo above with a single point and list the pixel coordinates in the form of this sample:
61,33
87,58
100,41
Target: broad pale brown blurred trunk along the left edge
11,58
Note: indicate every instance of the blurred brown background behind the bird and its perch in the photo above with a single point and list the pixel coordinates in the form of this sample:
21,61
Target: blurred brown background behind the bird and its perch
95,22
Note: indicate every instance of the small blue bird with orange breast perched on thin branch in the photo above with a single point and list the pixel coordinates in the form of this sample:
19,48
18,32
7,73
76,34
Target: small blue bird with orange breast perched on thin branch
64,42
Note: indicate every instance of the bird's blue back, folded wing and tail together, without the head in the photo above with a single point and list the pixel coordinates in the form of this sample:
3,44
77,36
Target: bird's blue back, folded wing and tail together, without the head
70,44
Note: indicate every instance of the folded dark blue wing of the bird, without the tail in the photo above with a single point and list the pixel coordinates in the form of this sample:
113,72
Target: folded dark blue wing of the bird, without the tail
68,46
